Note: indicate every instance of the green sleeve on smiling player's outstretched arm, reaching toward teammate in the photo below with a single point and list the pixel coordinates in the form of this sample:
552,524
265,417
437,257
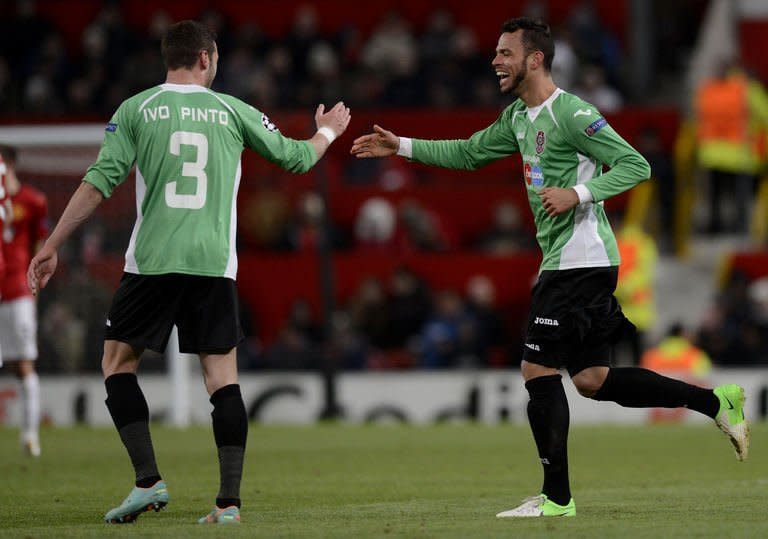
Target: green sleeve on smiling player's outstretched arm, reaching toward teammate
485,146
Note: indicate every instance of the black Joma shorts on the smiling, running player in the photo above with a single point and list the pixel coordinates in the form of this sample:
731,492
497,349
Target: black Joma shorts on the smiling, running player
574,319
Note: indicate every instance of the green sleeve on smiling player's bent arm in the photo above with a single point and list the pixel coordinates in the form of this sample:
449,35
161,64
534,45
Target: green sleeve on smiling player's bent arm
591,134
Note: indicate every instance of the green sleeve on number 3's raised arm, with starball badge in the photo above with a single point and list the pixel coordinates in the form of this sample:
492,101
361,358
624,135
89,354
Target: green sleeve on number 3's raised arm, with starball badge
263,137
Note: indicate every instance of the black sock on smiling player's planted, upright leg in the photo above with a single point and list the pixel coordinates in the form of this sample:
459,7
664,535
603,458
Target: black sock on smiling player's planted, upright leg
549,417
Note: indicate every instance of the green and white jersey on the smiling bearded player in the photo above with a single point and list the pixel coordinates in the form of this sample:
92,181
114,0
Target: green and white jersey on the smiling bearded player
564,142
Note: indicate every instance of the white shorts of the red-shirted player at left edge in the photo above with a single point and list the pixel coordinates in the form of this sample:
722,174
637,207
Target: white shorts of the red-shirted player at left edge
18,329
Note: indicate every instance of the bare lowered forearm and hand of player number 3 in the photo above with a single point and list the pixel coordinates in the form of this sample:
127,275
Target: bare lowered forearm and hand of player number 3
86,199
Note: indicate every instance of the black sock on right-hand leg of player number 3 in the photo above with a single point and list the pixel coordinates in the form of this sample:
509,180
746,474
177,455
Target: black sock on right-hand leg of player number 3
230,430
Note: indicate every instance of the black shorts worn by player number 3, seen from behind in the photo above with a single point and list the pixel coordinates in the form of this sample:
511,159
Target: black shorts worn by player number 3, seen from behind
146,307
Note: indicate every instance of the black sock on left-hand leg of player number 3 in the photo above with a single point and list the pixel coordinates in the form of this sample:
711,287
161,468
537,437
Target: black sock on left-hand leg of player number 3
130,413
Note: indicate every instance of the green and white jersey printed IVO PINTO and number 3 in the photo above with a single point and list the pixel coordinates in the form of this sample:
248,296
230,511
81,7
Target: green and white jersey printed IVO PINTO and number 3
186,142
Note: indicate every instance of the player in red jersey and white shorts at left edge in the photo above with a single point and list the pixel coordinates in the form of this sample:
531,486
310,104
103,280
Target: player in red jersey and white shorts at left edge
24,230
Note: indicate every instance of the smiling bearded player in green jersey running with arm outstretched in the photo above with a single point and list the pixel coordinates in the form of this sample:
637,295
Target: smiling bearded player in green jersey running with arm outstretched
574,318
